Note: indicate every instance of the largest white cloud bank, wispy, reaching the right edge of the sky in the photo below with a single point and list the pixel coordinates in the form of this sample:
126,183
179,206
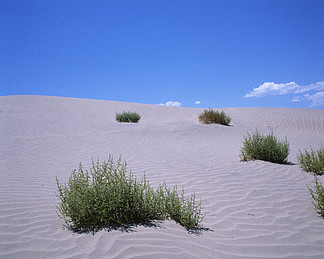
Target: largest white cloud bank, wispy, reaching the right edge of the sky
271,88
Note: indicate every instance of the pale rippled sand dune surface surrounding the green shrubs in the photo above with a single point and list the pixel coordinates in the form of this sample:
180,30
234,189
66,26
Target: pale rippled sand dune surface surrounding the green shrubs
255,209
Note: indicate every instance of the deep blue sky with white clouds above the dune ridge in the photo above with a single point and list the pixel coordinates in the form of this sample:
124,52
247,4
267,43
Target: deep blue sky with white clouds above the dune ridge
251,53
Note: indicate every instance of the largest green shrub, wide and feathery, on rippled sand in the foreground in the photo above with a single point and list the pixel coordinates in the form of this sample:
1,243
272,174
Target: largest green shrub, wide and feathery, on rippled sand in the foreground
107,197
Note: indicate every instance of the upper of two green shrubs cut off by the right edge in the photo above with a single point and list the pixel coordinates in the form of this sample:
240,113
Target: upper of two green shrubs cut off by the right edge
312,161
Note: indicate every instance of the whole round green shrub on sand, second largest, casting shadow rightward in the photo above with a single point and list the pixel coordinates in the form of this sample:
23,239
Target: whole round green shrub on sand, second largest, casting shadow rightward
267,148
